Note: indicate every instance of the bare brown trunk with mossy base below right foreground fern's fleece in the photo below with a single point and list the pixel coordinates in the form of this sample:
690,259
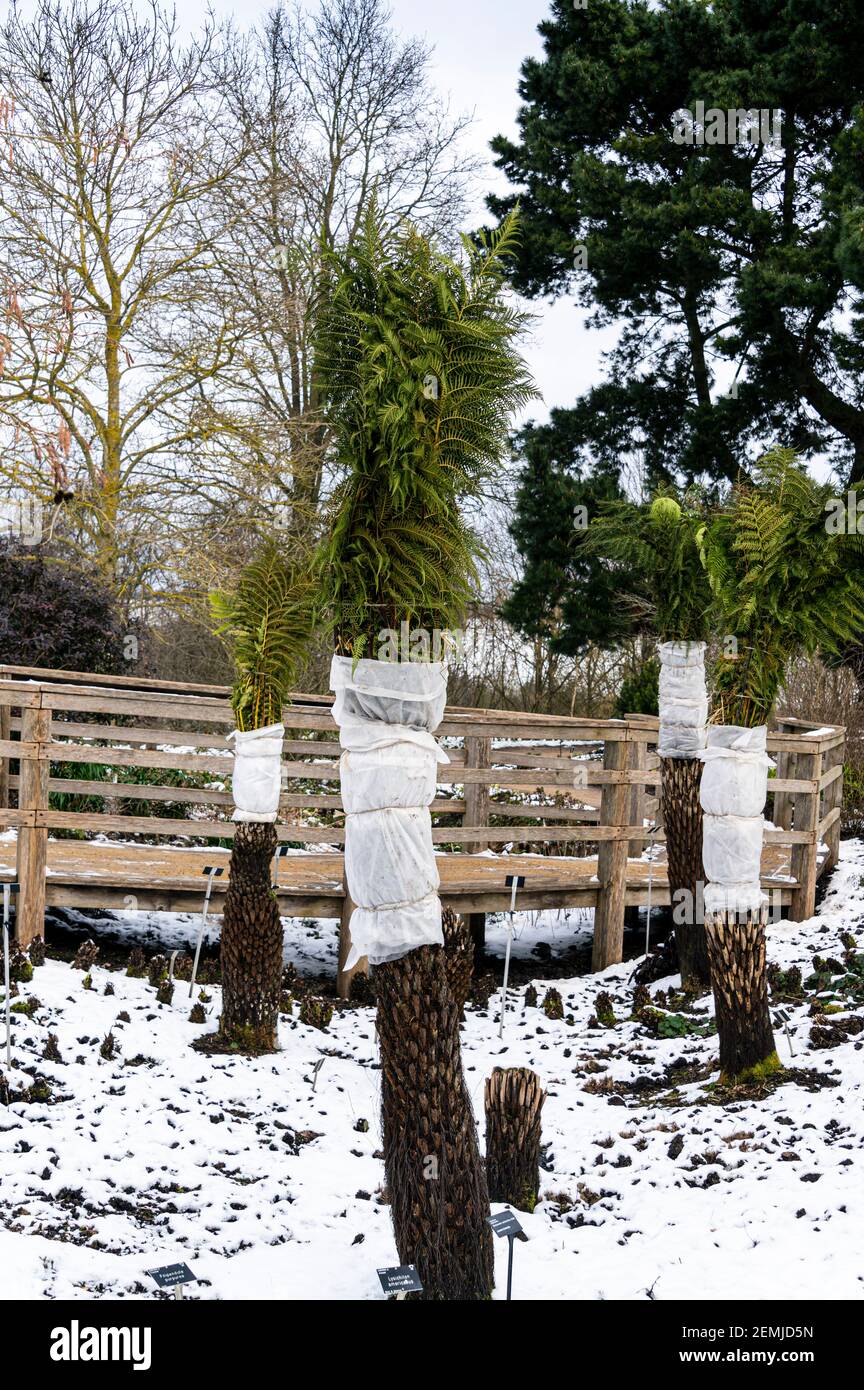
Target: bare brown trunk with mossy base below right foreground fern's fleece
737,953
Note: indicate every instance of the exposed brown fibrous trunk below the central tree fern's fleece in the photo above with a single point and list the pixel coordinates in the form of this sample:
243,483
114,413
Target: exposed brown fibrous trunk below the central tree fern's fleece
435,1175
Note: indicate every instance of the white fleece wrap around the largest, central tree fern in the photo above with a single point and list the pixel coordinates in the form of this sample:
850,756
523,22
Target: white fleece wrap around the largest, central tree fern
387,715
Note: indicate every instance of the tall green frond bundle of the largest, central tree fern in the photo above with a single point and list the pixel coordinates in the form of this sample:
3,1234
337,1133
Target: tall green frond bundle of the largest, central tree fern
420,377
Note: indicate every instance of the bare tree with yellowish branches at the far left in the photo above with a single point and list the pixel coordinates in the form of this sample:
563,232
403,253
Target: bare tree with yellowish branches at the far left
113,137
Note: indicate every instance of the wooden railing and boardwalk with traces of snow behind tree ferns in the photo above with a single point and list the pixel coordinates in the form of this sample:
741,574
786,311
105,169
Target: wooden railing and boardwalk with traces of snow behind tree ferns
569,785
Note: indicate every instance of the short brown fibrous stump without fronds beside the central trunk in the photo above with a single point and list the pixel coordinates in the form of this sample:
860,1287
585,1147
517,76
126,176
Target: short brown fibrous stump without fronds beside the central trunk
515,1100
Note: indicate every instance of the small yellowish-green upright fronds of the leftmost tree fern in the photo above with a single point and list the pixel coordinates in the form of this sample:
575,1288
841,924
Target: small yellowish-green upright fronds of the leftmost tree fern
267,621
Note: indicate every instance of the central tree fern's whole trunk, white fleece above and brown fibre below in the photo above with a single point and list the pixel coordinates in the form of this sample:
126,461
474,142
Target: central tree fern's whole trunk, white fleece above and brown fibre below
435,1177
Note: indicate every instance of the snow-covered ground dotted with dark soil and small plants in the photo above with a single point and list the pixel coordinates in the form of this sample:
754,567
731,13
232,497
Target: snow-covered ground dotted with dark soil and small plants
265,1178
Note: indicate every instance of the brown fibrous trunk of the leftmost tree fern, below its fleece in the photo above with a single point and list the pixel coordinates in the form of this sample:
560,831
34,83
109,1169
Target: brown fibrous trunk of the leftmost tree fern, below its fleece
252,943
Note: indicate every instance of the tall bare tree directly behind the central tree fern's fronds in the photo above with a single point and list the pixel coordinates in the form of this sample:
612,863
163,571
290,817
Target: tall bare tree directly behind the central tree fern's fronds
337,109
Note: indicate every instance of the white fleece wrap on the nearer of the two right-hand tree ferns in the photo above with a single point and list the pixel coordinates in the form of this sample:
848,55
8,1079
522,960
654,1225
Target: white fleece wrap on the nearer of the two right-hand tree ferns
734,792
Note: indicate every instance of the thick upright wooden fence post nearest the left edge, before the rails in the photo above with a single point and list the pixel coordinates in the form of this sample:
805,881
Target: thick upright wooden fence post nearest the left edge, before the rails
33,840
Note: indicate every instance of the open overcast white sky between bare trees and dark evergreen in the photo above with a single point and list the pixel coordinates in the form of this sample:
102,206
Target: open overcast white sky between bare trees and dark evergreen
480,47
